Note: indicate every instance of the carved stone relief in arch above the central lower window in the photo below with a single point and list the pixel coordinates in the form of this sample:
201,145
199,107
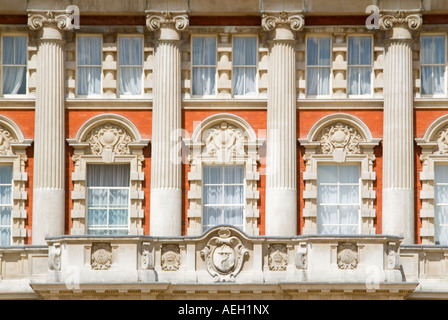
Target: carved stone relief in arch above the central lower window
224,141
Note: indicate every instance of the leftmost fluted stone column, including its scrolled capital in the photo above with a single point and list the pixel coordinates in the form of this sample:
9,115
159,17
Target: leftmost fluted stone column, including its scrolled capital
49,139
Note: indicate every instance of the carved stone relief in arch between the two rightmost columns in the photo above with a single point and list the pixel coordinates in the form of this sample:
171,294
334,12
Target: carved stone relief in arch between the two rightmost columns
340,137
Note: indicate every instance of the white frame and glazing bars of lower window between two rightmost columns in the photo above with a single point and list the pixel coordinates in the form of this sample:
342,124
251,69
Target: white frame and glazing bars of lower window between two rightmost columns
338,184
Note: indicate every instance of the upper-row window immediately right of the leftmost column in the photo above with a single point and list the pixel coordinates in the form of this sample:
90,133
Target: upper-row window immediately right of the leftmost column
88,60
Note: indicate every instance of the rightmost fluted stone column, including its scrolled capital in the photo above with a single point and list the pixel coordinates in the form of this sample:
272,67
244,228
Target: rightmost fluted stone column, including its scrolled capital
398,138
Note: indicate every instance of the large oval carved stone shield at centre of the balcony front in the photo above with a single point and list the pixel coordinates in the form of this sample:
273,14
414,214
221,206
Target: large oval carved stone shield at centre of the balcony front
224,256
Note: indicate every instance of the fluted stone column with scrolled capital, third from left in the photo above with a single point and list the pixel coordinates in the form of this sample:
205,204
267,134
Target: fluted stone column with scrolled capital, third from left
281,179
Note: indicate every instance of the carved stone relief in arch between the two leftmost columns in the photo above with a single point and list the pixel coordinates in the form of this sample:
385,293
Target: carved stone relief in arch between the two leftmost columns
109,140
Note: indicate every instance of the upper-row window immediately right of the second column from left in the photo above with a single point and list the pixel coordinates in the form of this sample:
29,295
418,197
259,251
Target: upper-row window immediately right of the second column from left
204,65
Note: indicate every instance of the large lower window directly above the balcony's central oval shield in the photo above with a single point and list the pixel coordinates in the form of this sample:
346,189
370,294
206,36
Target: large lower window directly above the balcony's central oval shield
223,196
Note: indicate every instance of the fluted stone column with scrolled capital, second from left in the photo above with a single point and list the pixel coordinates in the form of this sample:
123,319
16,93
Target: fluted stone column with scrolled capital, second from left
166,190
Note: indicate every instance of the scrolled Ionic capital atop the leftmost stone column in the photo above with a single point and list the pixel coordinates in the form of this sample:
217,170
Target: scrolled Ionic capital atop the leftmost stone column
60,18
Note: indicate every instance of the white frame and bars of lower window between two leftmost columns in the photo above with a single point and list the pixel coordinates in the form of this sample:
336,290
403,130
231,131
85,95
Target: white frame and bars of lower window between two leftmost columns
108,229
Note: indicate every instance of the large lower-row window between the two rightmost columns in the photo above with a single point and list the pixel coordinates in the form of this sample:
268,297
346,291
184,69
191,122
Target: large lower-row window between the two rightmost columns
338,199
